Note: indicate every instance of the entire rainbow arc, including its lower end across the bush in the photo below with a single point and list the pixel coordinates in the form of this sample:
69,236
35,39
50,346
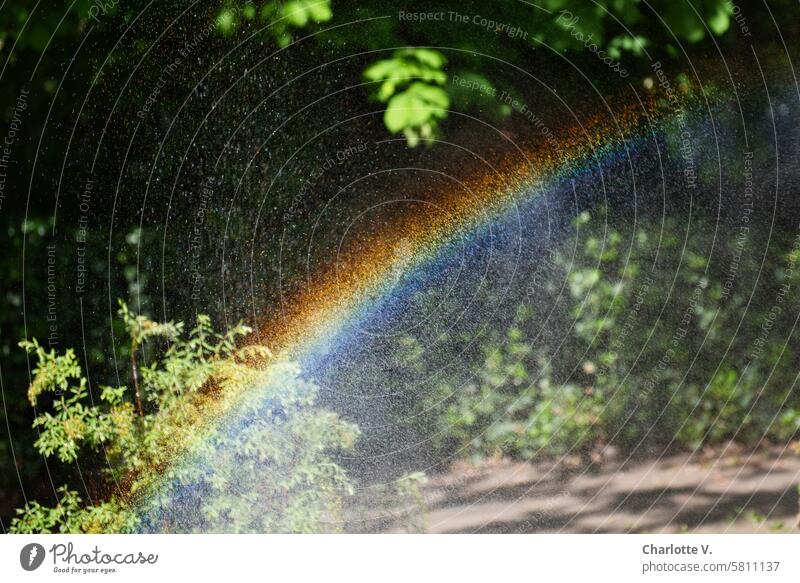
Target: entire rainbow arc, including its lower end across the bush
324,317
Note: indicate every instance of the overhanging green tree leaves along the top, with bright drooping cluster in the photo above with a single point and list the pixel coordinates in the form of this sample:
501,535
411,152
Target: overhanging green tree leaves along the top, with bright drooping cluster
414,80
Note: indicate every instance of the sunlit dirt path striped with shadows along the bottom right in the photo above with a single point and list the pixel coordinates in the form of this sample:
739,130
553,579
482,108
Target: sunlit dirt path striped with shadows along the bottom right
730,492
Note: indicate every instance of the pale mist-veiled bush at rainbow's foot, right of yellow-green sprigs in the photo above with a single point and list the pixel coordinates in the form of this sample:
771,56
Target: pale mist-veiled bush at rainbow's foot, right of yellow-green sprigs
265,470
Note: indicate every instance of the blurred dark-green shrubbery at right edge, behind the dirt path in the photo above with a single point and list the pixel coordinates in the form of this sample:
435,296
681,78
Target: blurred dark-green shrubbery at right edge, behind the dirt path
657,358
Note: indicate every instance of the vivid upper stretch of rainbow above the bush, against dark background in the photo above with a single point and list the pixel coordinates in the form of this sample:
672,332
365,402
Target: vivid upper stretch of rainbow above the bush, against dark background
318,319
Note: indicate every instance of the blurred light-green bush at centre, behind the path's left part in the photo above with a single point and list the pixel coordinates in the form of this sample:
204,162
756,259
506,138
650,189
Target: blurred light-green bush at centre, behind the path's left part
512,406
